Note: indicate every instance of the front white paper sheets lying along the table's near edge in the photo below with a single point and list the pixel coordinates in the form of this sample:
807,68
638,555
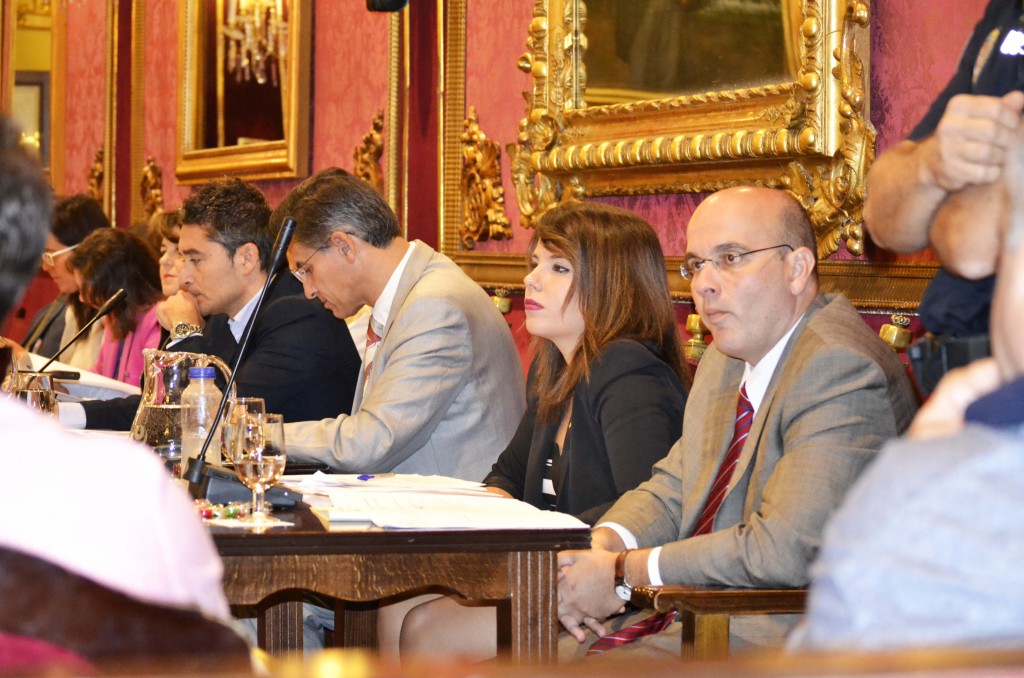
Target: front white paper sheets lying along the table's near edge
416,511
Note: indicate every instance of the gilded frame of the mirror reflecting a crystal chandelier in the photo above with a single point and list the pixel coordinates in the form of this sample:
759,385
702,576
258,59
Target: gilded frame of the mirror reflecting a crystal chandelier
284,159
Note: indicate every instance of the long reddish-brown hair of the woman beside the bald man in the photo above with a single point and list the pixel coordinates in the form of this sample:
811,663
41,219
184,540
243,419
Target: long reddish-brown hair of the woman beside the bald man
620,280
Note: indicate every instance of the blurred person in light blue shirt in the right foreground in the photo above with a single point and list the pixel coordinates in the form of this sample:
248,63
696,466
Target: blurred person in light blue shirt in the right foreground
927,549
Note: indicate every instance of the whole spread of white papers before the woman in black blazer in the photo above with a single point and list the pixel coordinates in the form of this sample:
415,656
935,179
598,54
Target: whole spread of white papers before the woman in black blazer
418,502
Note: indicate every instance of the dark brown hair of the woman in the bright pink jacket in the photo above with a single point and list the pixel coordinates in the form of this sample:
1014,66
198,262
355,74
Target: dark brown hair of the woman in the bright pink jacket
110,260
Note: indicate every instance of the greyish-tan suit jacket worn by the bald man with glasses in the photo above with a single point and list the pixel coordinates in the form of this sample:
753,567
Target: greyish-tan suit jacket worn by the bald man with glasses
830,415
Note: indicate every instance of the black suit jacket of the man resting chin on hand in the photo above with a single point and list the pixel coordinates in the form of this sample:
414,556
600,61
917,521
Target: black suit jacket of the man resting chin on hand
301,360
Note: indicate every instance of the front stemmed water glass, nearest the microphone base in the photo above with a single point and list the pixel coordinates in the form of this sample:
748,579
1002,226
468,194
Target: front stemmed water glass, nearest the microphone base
260,456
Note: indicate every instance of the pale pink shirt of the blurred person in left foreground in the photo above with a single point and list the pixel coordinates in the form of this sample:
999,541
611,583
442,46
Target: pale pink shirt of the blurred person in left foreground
105,508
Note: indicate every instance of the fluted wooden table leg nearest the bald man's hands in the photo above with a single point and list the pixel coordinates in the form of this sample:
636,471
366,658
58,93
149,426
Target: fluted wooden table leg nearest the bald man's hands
534,608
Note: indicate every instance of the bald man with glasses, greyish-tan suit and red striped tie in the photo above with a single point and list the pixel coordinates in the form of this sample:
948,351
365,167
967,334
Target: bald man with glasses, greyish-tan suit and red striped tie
791,403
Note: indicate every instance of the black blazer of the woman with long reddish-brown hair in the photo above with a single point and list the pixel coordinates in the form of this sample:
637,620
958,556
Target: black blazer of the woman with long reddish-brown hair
625,418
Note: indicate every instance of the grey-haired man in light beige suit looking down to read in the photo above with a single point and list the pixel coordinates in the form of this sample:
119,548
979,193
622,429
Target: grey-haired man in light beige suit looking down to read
442,390
